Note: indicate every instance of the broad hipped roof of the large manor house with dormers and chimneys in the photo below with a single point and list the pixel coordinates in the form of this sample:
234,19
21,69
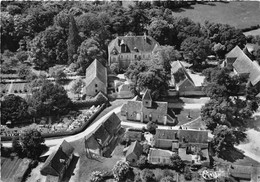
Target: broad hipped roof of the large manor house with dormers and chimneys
140,42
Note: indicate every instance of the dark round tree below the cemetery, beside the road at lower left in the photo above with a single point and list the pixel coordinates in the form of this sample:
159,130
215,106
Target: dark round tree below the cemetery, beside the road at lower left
32,143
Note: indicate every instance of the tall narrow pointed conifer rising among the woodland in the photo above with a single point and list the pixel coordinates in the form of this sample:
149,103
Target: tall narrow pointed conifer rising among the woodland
73,41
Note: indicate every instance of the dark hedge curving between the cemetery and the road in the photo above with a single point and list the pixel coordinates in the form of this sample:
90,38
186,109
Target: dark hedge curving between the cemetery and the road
66,133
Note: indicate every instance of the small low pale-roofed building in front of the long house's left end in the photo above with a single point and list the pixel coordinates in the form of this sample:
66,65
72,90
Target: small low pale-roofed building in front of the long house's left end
159,156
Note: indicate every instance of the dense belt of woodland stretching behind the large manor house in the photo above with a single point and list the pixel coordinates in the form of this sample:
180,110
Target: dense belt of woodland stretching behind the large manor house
79,32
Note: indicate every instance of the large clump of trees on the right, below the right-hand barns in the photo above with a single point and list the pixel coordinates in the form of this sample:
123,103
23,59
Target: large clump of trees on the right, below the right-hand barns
227,114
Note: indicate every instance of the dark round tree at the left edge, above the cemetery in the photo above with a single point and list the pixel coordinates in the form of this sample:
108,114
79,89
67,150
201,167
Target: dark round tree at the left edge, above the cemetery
13,108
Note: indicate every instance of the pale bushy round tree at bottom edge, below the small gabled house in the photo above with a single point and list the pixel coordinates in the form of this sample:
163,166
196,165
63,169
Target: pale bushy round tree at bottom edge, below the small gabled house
120,170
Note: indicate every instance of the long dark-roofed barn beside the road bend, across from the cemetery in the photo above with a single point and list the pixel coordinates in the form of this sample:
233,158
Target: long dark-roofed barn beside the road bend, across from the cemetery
103,139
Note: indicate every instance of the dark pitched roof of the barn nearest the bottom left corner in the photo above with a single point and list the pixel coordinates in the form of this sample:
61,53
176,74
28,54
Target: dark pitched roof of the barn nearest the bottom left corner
54,161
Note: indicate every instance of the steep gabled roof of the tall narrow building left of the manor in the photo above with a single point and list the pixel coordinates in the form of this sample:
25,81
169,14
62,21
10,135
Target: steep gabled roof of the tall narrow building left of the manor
96,70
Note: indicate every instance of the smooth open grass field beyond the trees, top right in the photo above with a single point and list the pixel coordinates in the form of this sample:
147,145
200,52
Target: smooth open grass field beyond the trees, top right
241,14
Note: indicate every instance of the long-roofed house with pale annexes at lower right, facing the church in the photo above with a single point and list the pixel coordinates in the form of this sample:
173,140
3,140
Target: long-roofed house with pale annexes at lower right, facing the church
190,145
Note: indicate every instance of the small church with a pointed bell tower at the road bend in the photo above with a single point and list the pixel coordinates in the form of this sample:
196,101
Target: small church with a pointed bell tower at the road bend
147,110
